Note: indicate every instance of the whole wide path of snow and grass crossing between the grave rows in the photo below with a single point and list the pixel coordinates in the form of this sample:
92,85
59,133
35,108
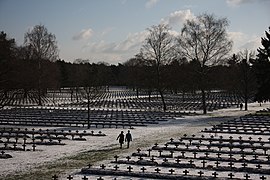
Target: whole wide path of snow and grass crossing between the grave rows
69,159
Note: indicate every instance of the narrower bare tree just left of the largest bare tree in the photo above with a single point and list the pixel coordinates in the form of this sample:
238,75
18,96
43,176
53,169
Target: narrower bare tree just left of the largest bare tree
158,49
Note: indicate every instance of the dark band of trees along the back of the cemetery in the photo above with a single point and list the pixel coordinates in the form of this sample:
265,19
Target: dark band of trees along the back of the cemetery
30,69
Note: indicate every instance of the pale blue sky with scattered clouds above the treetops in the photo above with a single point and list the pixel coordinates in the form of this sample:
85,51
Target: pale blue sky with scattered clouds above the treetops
113,30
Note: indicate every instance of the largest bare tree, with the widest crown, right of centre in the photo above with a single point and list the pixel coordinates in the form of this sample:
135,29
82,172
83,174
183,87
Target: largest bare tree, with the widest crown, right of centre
205,40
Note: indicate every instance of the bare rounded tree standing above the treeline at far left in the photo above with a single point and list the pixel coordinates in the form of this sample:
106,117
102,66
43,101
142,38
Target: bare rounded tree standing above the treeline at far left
42,46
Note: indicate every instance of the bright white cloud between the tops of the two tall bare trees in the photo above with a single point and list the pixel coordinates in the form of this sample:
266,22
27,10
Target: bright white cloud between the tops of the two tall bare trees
178,18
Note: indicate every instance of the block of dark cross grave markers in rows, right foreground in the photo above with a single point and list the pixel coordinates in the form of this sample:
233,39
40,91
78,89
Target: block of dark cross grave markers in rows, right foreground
255,166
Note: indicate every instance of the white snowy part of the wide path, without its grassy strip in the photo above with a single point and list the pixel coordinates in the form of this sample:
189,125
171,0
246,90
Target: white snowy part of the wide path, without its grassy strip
23,161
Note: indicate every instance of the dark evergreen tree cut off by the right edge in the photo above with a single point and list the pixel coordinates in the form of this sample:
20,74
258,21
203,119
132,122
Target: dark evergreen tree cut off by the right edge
262,69
